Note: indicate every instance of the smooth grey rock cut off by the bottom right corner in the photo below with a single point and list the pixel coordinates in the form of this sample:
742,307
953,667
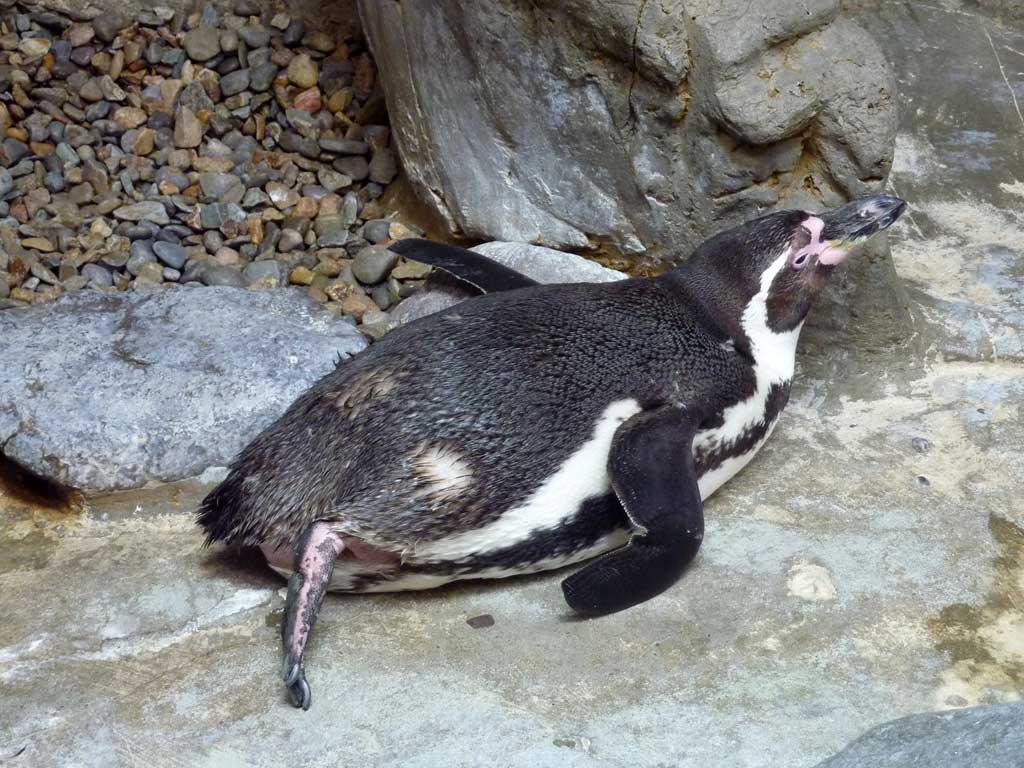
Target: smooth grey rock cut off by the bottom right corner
979,738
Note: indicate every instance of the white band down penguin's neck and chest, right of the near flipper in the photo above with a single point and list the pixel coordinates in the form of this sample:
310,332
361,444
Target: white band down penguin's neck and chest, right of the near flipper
775,359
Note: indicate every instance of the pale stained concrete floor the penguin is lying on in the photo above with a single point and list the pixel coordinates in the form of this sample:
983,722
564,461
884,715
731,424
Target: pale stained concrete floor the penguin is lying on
852,575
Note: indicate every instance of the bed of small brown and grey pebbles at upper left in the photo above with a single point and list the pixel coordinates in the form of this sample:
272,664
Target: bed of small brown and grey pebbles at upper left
245,149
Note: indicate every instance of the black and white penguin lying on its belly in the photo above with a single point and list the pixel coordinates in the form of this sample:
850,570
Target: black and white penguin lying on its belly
536,428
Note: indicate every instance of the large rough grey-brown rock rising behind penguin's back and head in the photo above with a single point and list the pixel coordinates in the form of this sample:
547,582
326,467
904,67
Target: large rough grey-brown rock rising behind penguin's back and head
645,125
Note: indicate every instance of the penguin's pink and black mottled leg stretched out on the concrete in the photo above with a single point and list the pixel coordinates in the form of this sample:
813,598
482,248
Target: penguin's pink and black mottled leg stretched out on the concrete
315,558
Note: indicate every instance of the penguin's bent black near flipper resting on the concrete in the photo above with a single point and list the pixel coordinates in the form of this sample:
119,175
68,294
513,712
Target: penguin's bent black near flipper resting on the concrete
653,474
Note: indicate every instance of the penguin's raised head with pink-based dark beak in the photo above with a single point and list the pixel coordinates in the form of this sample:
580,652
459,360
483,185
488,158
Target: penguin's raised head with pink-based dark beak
769,272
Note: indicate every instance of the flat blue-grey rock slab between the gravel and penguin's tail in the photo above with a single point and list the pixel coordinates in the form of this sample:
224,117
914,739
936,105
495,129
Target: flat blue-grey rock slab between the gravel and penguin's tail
107,392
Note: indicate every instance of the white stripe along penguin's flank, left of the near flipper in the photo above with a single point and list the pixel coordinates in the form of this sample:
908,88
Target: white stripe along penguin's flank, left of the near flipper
582,477
